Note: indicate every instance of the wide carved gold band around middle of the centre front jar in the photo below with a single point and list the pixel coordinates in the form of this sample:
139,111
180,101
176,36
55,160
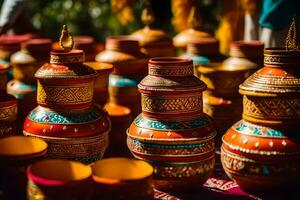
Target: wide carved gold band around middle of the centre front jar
176,104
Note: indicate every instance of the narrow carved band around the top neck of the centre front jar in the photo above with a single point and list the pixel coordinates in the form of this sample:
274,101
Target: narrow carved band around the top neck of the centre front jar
171,71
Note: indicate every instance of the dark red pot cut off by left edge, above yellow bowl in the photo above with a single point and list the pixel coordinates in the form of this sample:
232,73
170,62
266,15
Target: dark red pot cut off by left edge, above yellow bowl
8,115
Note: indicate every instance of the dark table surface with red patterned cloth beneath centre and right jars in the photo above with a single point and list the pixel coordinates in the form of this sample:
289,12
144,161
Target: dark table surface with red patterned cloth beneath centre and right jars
220,187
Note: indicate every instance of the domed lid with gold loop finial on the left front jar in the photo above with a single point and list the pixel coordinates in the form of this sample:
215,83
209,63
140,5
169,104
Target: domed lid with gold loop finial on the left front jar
65,63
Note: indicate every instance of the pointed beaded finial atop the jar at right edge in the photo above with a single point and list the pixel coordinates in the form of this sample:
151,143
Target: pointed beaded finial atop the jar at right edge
291,42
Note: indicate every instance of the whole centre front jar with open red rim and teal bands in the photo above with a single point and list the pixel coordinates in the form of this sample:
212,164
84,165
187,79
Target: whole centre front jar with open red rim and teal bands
172,132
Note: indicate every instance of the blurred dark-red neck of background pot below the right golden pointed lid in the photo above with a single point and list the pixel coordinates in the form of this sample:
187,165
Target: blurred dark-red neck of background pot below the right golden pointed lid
207,46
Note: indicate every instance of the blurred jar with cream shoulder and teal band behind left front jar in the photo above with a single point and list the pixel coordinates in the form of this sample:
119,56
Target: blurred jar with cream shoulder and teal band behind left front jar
33,54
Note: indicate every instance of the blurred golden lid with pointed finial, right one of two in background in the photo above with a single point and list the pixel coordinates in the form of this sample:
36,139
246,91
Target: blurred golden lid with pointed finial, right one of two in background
193,33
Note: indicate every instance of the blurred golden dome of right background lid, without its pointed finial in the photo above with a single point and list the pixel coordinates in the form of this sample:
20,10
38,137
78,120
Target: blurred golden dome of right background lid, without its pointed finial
182,39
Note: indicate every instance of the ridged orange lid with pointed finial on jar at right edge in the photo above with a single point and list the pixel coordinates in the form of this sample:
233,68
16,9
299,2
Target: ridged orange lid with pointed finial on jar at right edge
280,76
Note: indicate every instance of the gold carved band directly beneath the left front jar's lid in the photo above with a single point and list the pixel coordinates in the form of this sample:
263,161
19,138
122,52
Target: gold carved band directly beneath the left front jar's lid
65,95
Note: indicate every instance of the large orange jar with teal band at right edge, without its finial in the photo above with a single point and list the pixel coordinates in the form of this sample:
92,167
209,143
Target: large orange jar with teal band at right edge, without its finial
262,151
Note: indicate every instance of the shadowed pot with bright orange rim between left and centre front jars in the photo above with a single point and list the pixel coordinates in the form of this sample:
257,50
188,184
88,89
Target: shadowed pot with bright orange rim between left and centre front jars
121,119
